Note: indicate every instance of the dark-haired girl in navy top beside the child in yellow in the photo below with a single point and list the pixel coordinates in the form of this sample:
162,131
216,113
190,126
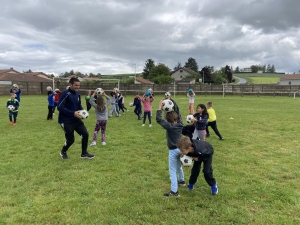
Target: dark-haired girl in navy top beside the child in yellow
200,120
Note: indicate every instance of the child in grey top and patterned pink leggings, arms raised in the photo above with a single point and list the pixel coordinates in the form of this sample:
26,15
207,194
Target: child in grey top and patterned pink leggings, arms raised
101,115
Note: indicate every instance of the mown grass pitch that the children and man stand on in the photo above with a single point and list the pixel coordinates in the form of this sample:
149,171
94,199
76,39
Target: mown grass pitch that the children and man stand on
256,167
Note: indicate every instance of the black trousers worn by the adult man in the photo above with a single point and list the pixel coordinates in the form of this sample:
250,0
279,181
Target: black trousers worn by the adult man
80,129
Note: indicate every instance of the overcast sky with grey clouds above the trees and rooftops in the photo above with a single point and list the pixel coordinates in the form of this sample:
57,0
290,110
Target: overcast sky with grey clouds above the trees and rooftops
112,36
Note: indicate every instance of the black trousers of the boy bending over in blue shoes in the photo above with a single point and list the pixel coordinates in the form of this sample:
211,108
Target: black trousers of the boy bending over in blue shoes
207,170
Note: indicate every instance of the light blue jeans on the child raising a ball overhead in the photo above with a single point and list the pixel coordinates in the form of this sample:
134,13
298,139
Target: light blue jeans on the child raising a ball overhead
175,167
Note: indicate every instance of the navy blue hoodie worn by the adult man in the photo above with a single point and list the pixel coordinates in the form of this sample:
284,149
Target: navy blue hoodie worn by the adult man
69,102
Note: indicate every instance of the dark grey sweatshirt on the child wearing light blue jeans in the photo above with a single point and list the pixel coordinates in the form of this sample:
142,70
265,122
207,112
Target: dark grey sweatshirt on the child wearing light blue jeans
174,130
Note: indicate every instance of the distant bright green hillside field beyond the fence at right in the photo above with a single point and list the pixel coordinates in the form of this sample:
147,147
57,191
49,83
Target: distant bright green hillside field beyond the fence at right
265,78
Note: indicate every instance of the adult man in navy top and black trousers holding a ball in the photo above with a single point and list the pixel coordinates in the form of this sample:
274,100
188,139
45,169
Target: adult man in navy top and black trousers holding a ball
68,105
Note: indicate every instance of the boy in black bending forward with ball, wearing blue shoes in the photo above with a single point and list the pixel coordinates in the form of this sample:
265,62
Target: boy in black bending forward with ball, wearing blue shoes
201,151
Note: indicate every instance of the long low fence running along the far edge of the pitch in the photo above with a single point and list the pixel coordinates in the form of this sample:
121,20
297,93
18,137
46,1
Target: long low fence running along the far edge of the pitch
39,88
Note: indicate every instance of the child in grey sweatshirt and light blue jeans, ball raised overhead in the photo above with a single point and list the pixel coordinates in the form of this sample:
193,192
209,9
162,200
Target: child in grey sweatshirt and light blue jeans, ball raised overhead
173,130
